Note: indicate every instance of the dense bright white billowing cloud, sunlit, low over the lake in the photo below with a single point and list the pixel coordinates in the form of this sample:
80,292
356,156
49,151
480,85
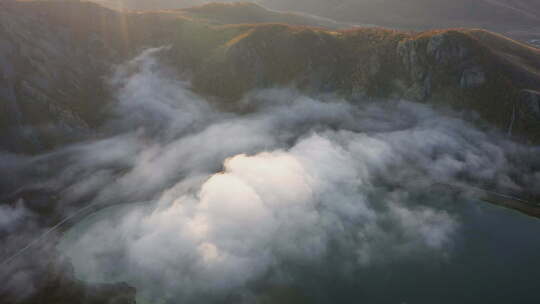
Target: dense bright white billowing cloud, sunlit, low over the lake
261,211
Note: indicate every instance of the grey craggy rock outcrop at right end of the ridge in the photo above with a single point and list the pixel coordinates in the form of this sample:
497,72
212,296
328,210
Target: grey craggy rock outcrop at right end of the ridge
474,70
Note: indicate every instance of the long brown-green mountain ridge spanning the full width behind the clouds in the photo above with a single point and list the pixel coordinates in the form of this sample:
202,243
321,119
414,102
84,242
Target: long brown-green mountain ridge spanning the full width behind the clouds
466,69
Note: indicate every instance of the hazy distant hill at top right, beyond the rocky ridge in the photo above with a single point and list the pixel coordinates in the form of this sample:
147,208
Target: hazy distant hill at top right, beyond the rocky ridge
494,14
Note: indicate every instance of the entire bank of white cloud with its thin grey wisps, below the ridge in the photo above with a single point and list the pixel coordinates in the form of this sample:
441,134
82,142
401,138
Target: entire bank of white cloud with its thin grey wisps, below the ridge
236,201
